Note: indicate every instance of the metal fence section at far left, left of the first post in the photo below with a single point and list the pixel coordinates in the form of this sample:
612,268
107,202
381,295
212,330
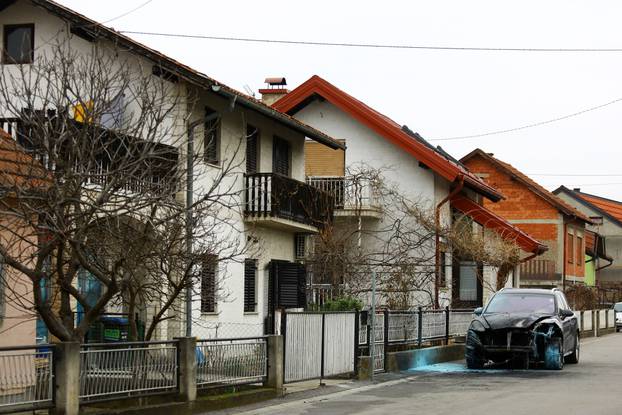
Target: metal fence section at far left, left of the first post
26,377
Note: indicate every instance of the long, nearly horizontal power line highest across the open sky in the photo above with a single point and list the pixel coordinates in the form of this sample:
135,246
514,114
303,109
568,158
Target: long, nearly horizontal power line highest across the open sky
369,45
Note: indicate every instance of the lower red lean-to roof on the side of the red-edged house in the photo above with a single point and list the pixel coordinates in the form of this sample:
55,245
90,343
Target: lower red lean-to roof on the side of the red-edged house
492,221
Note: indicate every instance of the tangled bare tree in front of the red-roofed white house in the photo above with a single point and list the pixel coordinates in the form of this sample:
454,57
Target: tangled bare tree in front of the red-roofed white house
400,246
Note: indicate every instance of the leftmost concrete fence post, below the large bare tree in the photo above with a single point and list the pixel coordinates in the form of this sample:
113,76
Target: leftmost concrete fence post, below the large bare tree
67,378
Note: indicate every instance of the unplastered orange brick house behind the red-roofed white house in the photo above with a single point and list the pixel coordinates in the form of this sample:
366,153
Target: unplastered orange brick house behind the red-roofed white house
541,214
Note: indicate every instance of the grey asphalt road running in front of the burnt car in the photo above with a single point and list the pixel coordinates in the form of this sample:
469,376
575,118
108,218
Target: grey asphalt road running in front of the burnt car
594,386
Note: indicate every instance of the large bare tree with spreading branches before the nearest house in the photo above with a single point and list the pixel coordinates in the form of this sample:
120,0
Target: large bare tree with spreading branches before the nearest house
100,144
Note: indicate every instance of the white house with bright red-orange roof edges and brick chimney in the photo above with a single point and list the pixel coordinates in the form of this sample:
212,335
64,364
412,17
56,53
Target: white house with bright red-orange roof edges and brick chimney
424,175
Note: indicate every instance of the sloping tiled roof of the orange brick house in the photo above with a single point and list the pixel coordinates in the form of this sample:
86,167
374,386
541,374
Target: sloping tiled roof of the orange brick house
536,188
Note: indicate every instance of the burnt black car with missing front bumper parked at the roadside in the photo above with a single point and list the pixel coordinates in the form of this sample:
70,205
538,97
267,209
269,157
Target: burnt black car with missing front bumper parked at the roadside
520,326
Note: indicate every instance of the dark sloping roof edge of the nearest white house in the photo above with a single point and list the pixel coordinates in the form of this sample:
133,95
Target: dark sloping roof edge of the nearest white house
85,27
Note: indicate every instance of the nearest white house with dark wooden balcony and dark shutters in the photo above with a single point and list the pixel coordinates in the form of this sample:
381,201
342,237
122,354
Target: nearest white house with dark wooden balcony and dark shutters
262,149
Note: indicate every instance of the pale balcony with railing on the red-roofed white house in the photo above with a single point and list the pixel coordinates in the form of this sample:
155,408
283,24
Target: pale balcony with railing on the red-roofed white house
353,196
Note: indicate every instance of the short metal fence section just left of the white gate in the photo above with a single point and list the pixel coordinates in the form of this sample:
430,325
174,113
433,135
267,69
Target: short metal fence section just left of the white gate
231,361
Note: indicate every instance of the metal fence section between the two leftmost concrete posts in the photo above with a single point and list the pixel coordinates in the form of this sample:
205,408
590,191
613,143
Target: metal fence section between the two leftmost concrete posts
116,370
